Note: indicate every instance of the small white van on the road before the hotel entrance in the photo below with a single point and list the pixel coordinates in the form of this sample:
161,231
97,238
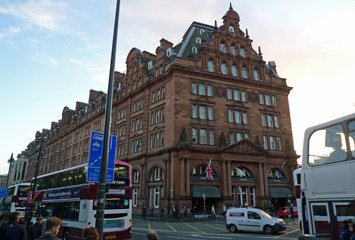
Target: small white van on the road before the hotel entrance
254,220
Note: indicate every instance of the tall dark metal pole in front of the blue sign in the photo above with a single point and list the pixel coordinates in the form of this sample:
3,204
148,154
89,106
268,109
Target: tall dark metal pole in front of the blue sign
103,171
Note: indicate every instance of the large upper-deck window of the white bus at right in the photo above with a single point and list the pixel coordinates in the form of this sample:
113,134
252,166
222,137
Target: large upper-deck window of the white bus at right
327,146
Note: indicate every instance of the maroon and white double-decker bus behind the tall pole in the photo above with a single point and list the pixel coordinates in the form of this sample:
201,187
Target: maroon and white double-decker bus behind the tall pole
67,195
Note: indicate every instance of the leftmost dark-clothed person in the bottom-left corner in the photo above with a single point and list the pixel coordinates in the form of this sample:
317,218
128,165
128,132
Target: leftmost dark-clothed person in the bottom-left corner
12,230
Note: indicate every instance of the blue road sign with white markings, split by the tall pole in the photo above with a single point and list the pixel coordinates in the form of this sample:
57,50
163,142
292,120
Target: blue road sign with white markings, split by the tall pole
95,156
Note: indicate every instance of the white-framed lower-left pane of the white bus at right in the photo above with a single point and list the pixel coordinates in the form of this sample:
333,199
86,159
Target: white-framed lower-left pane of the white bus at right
320,218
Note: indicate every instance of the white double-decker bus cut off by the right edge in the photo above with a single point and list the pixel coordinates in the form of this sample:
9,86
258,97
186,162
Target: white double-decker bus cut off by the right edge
327,202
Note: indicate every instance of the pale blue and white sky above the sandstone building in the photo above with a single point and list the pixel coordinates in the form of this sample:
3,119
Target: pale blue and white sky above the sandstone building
52,52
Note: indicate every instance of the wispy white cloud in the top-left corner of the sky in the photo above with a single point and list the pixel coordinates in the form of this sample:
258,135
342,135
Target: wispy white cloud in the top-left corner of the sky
40,13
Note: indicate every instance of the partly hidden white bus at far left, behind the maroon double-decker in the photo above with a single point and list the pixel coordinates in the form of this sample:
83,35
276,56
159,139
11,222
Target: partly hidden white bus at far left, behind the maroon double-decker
16,199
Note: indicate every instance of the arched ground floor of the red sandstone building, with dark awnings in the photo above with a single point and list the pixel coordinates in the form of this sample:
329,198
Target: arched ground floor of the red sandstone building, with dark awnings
243,175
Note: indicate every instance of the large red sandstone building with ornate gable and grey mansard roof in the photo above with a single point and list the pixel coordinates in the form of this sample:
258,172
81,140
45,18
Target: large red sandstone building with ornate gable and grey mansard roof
211,97
